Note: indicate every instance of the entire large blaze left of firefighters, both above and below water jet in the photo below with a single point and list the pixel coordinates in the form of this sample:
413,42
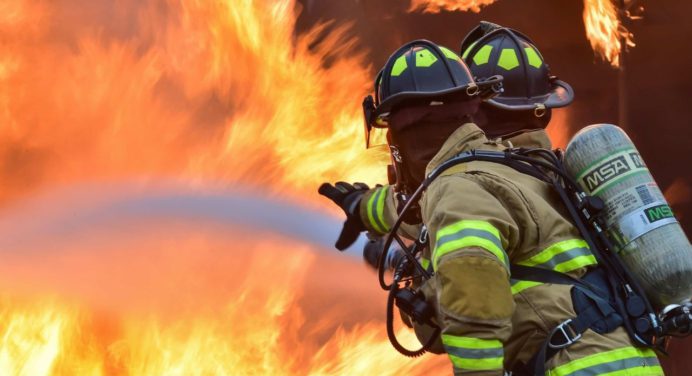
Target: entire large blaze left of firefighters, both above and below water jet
206,94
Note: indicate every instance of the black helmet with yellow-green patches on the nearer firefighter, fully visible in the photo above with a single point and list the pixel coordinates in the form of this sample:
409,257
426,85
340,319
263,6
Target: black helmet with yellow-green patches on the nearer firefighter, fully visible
422,72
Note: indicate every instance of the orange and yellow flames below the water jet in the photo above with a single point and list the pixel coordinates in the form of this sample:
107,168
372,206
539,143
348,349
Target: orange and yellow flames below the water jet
198,300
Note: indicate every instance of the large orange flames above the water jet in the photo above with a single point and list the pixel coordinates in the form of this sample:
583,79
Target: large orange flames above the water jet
107,91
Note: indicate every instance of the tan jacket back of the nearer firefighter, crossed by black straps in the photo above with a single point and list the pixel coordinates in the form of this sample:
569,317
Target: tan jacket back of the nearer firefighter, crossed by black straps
546,238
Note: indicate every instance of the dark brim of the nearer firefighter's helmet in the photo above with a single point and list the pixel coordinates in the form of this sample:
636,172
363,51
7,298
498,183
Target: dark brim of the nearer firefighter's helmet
460,93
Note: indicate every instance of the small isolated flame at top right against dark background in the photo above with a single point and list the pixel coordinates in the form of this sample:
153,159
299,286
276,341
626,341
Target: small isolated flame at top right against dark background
605,30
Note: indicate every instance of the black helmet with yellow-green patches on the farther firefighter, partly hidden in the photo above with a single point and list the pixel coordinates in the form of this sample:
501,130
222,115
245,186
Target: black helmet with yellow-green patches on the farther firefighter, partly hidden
490,49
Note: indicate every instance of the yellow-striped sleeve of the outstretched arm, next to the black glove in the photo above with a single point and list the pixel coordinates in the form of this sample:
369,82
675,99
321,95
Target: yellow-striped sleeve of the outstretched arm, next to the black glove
378,212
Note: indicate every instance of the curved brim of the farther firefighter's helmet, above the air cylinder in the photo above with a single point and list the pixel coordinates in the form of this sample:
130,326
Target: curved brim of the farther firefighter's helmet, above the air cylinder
561,95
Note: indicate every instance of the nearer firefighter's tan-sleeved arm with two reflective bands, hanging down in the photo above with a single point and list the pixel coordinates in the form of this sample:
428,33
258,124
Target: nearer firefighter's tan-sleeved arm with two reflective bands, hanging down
470,233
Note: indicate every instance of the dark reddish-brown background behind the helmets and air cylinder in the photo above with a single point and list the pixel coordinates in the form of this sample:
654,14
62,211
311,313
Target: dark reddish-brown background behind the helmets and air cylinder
657,81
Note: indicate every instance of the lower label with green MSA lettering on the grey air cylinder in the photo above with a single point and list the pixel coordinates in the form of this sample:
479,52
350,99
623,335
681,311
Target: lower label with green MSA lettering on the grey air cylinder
641,221
